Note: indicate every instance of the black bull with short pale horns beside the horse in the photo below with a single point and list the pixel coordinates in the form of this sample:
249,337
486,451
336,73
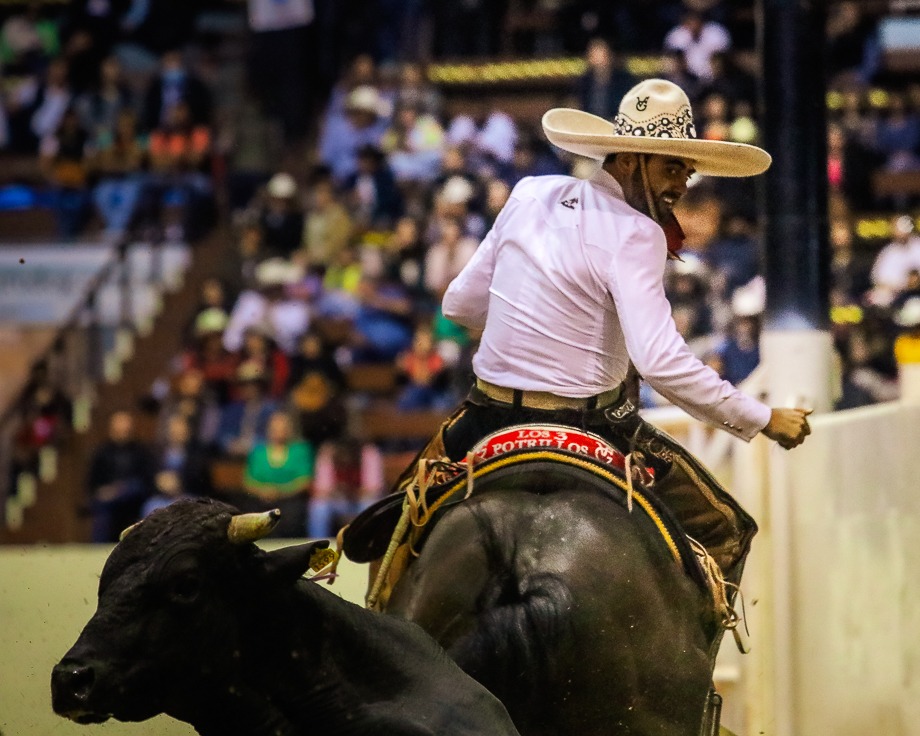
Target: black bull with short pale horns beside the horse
195,621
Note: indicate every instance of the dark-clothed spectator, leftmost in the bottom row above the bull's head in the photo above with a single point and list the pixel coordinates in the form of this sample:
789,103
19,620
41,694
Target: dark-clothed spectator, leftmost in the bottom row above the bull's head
120,479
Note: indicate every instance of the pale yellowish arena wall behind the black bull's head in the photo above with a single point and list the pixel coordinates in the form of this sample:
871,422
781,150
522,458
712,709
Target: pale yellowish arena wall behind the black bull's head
47,594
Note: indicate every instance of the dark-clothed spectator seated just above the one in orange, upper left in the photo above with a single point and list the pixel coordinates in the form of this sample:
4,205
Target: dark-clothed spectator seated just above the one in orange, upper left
175,84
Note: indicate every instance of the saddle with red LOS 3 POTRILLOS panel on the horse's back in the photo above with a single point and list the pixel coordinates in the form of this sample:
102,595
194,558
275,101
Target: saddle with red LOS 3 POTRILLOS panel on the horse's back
537,458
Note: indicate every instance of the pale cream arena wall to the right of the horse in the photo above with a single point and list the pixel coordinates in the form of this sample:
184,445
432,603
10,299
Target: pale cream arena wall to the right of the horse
832,585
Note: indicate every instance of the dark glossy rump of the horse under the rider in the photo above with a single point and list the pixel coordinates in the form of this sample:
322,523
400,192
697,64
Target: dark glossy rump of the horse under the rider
568,607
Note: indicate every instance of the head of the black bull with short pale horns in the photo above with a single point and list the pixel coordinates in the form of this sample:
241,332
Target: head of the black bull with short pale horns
176,596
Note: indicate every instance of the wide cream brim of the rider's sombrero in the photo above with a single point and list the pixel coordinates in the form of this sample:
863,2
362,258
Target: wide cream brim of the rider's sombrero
588,135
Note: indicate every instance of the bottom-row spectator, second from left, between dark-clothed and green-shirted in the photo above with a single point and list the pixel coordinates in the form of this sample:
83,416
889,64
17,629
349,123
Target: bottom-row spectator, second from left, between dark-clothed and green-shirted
181,468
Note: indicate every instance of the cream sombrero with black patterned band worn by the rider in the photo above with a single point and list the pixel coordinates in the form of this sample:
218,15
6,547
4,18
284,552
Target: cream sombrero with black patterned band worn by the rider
654,117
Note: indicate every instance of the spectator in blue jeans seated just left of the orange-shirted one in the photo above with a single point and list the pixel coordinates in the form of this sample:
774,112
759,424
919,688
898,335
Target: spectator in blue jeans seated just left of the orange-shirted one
119,162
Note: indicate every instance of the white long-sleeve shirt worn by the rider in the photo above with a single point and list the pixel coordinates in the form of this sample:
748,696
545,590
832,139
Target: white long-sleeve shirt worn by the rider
567,287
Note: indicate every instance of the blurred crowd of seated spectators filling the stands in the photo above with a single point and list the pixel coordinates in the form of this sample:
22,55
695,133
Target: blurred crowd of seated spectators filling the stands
341,255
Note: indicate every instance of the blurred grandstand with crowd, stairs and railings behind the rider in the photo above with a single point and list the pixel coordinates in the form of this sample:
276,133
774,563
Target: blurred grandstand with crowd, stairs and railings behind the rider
226,226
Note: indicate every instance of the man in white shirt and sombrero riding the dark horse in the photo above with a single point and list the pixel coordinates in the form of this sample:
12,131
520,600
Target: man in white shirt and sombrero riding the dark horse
567,290
